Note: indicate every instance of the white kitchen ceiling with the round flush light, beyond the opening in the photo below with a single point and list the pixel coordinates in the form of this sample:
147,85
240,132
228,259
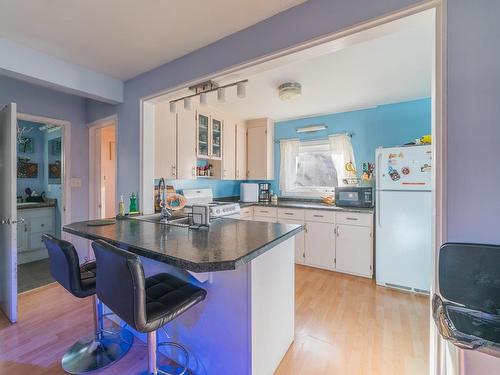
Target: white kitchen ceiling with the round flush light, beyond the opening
379,66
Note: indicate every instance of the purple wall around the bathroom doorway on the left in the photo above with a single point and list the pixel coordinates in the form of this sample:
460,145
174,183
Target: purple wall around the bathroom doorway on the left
36,100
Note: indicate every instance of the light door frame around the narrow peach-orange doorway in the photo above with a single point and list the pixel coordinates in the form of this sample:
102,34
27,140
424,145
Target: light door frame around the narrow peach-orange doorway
94,161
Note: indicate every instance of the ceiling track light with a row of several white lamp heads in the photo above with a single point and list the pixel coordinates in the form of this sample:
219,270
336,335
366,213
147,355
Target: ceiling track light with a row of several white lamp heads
204,88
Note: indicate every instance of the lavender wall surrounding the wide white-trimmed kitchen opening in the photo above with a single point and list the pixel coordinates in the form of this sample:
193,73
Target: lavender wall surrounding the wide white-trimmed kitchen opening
473,110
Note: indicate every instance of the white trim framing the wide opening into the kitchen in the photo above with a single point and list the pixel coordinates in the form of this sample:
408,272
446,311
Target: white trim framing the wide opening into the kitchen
444,358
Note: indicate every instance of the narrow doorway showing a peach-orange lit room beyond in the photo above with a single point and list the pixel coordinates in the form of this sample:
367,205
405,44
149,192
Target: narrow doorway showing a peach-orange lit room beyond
103,166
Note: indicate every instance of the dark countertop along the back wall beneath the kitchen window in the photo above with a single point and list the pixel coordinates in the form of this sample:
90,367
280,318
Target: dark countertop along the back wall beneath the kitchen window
298,203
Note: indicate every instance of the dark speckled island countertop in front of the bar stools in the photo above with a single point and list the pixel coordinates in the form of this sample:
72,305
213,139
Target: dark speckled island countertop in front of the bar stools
226,245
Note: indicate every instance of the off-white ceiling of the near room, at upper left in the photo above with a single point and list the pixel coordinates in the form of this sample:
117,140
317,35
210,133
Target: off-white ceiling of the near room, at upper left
124,38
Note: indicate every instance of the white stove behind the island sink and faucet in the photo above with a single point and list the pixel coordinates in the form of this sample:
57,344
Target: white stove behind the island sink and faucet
204,197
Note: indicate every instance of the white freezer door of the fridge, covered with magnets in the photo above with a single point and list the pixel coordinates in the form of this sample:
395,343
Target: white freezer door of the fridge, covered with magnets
404,168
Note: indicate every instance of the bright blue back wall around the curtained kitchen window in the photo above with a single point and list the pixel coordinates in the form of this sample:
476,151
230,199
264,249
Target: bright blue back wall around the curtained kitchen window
385,125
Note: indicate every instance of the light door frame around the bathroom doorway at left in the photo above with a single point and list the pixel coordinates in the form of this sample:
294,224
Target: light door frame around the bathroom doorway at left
65,160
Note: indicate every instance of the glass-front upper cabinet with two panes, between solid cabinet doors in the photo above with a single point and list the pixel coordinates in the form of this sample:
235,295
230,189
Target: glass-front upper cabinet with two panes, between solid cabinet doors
209,137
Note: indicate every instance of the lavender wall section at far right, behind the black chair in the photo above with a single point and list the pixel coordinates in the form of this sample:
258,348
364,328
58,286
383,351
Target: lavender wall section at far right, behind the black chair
474,133
